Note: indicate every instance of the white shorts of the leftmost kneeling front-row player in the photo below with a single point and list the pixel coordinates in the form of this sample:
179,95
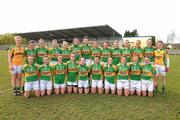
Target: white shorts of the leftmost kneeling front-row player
28,86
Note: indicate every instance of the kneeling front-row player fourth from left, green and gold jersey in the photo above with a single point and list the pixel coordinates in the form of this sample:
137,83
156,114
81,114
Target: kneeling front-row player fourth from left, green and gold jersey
72,74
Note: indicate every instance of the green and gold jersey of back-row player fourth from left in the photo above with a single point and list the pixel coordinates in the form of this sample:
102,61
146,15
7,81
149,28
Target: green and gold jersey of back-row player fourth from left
54,53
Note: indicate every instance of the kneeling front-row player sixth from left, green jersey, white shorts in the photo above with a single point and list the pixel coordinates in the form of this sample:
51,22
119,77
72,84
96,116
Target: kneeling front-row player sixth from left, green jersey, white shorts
96,71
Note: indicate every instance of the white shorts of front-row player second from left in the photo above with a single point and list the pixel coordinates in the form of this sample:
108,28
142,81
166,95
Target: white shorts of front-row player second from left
45,85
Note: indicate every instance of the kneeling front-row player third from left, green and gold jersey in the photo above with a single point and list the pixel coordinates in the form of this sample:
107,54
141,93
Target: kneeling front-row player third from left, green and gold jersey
59,76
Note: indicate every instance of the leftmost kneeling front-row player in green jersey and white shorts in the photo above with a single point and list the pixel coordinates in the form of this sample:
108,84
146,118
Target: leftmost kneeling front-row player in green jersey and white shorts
30,76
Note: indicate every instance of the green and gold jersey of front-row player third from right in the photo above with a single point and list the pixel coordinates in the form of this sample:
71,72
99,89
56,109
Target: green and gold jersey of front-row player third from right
123,71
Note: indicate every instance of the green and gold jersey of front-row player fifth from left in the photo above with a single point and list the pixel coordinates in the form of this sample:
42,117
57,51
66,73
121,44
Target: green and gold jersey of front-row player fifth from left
83,72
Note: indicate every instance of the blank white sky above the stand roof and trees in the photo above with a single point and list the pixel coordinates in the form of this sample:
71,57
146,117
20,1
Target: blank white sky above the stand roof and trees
149,17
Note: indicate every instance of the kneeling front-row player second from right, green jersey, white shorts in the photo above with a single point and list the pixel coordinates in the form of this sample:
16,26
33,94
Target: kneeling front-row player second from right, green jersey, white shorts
135,77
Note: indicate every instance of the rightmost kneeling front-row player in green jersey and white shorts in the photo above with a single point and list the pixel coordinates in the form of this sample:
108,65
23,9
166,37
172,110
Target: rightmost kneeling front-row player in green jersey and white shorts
147,75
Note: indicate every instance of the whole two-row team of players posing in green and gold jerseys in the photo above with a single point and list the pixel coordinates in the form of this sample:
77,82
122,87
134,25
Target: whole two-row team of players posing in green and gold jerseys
87,67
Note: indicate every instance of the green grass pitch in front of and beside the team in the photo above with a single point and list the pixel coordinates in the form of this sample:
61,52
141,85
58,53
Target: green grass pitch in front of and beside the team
91,107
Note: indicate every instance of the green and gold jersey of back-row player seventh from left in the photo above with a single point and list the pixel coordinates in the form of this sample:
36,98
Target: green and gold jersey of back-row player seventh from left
86,51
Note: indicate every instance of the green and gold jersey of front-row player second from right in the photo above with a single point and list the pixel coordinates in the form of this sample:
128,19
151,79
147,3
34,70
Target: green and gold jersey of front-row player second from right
135,69
